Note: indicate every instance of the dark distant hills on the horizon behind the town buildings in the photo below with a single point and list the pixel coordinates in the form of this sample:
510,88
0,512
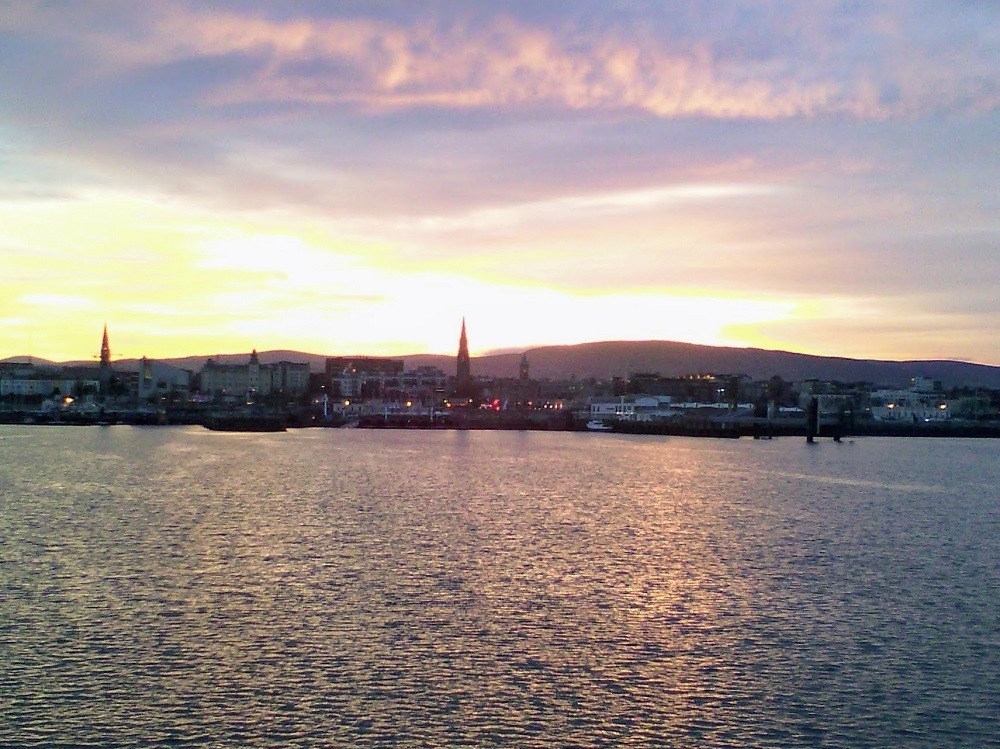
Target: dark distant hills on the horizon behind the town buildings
620,358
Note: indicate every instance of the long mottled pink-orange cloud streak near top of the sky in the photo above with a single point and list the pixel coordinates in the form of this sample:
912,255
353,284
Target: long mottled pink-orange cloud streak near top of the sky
377,65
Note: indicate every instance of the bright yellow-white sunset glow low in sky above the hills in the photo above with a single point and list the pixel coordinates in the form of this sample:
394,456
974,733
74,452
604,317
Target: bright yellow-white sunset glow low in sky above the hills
177,283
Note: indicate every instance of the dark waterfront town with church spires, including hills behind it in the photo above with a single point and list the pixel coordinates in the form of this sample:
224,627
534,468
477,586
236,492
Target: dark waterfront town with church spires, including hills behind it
677,383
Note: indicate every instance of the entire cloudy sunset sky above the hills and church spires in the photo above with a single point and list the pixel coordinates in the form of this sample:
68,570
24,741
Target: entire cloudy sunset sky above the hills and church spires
356,177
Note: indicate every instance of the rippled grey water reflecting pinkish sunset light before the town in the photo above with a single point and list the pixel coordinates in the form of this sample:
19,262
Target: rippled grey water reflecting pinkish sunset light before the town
174,586
